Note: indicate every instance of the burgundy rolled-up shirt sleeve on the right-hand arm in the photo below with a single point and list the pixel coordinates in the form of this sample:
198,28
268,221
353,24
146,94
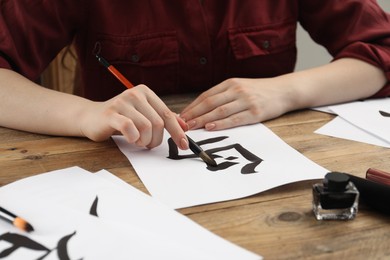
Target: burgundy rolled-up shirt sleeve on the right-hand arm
350,28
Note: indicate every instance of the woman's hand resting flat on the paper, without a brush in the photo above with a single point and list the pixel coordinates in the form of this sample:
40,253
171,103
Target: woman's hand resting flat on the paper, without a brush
237,102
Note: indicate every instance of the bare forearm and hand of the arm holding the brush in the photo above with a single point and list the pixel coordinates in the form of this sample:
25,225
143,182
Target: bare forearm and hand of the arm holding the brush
136,113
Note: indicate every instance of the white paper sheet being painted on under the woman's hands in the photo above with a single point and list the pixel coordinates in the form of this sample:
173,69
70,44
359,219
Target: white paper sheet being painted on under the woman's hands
188,182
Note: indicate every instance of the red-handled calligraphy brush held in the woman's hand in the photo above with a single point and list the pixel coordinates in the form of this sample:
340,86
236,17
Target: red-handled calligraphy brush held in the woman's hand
195,148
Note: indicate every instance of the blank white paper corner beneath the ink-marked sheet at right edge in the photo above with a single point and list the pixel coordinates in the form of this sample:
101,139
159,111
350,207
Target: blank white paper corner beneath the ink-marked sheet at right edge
341,128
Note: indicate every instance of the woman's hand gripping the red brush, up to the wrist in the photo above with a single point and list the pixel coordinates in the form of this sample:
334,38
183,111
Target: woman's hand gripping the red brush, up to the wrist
138,114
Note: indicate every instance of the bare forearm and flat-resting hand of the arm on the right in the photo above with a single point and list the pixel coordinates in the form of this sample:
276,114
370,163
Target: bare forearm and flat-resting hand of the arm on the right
237,102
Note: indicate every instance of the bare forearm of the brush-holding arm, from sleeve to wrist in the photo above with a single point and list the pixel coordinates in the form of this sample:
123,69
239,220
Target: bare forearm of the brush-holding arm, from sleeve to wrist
27,106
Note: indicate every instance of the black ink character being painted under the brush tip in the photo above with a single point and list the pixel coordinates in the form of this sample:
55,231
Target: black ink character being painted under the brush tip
246,169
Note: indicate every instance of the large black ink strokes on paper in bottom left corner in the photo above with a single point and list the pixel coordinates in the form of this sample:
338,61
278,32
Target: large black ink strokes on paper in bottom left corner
20,241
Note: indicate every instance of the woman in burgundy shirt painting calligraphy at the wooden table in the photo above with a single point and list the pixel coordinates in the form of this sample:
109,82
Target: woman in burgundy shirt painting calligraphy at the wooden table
240,54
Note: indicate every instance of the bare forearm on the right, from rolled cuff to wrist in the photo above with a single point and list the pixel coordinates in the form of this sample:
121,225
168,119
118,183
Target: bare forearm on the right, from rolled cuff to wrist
340,81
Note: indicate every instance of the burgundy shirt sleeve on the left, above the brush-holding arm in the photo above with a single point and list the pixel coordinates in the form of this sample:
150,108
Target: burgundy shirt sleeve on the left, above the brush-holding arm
33,32
